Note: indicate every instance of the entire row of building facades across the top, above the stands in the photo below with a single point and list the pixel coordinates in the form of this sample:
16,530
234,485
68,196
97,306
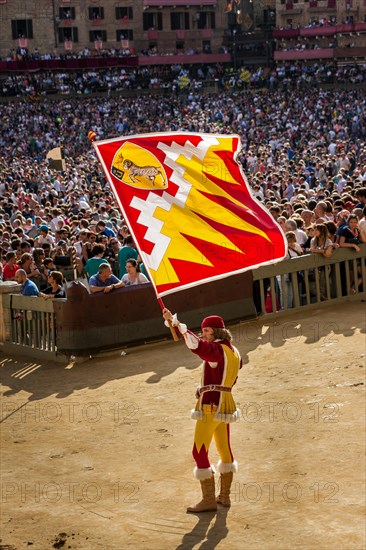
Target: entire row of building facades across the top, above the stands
243,32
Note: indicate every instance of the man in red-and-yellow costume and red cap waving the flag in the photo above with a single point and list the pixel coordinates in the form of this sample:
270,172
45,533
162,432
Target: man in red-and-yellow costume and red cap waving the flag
215,408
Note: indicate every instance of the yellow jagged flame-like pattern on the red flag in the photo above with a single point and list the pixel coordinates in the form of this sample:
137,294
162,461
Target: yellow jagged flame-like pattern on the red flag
179,220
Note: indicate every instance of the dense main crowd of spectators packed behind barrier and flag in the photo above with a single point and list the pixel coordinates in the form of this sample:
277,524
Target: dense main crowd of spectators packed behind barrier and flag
304,155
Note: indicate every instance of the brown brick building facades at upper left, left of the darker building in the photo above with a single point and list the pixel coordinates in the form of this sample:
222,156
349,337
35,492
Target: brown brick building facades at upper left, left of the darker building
162,26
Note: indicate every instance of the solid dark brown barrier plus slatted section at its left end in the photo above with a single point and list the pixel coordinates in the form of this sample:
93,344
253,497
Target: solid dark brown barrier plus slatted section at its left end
85,323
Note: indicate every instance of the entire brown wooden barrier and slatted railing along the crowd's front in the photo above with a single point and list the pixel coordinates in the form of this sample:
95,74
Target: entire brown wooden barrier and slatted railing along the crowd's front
84,323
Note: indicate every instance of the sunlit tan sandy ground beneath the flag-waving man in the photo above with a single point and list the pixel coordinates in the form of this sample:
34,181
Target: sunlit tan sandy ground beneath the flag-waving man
97,455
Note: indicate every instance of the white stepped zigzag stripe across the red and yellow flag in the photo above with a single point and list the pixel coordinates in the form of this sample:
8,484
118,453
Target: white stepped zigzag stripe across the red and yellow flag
165,201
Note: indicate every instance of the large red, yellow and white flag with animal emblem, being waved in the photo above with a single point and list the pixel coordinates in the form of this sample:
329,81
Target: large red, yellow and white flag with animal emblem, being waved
189,208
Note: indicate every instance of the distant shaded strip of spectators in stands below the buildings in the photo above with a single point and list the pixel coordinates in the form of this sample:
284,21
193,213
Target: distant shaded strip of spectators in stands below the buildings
173,79
